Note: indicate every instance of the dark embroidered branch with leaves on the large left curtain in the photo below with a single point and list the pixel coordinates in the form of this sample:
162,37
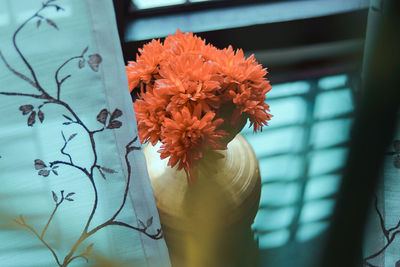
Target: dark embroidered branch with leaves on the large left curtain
108,120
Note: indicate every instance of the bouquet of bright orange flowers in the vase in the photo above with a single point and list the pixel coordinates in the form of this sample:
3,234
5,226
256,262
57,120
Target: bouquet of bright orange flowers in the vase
192,94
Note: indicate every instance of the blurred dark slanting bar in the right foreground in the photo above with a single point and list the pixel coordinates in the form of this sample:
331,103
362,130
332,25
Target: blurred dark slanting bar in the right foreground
371,134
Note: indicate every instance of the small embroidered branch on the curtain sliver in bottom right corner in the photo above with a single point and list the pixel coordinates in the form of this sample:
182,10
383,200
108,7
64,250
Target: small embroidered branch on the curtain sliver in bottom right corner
389,234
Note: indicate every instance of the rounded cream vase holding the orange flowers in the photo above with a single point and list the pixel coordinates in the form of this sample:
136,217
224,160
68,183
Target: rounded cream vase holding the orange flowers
207,223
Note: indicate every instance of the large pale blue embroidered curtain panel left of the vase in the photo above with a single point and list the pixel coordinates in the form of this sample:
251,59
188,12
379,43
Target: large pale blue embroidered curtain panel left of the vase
74,182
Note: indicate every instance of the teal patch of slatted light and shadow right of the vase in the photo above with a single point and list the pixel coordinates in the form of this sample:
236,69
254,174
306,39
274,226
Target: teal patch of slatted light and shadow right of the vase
301,154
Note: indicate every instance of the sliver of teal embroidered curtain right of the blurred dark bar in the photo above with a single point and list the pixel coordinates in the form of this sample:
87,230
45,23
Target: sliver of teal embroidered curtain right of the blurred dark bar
382,242
